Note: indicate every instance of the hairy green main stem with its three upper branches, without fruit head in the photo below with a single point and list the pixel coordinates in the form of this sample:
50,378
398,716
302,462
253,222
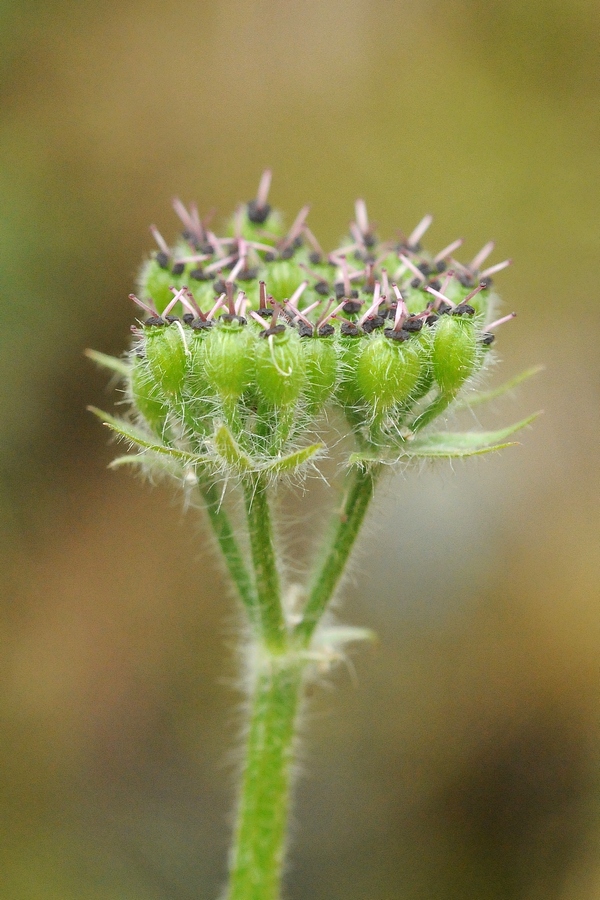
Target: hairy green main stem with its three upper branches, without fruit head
278,665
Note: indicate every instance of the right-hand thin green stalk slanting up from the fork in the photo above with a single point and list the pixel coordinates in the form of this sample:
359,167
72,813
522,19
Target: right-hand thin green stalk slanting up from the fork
349,520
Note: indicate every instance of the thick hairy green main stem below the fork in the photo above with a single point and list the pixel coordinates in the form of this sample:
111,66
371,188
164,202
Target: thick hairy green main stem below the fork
259,841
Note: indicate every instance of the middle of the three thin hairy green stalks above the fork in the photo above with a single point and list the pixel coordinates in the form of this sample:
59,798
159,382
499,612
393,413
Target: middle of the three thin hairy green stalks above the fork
260,531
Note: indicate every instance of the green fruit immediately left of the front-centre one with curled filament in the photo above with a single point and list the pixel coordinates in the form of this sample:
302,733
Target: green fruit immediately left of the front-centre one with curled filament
228,359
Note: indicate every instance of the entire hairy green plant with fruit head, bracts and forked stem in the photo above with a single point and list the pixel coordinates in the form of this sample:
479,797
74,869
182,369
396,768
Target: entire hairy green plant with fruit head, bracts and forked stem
247,345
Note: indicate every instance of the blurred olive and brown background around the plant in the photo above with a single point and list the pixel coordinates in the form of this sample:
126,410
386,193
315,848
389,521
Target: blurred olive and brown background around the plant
462,759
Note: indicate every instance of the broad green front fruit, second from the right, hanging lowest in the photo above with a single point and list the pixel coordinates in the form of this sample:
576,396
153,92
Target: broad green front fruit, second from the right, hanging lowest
388,372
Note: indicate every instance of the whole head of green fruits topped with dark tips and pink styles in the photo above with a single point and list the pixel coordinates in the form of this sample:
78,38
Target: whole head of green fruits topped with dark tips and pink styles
262,331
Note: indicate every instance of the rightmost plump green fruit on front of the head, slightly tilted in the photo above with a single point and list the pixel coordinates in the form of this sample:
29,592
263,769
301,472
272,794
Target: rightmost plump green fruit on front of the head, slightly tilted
455,352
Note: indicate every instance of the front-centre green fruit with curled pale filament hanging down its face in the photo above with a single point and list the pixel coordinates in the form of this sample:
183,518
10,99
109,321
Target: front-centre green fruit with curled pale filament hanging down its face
280,368
